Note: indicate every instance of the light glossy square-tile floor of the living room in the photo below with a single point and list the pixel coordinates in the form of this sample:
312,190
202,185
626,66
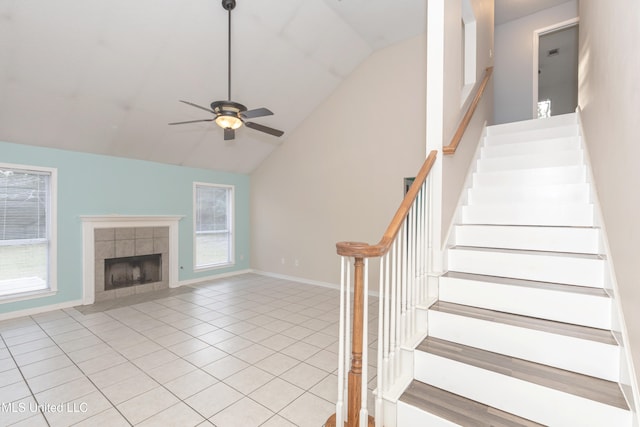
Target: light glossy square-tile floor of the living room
242,352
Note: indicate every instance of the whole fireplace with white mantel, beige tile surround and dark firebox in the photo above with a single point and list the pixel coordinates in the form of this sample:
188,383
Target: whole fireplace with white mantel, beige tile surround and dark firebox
126,255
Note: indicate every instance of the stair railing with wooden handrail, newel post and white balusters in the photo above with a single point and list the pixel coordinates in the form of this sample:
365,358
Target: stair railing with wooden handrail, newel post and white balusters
402,287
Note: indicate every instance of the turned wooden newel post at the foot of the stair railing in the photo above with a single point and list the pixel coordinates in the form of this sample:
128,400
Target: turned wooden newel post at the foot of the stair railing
355,372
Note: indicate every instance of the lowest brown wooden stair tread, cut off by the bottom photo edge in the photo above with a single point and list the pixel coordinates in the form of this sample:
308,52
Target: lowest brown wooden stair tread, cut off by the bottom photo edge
459,409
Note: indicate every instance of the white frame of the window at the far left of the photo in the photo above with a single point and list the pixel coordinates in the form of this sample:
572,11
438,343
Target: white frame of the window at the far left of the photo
52,227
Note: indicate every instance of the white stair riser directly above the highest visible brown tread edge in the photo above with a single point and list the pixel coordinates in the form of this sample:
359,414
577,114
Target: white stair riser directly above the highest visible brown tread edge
571,215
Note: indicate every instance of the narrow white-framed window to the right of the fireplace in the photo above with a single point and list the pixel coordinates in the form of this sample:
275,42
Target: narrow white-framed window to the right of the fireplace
213,225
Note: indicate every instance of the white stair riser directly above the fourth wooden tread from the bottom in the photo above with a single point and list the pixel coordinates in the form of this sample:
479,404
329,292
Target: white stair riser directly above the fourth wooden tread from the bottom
544,268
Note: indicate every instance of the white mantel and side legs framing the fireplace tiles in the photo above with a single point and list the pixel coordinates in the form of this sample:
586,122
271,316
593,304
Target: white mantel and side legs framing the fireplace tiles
91,222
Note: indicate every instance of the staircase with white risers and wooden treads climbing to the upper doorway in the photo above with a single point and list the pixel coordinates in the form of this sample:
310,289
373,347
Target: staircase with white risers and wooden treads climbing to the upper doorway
521,334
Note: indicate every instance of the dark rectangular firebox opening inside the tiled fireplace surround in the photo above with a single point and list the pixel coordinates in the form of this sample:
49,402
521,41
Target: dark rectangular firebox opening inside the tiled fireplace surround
130,271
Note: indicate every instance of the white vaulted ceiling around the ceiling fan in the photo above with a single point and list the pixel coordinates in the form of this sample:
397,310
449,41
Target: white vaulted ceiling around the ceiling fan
105,76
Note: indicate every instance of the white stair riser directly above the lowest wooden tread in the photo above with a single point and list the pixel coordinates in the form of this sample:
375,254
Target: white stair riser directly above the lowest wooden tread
528,400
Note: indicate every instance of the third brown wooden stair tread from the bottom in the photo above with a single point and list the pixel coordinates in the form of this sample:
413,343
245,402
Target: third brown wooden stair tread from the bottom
576,331
